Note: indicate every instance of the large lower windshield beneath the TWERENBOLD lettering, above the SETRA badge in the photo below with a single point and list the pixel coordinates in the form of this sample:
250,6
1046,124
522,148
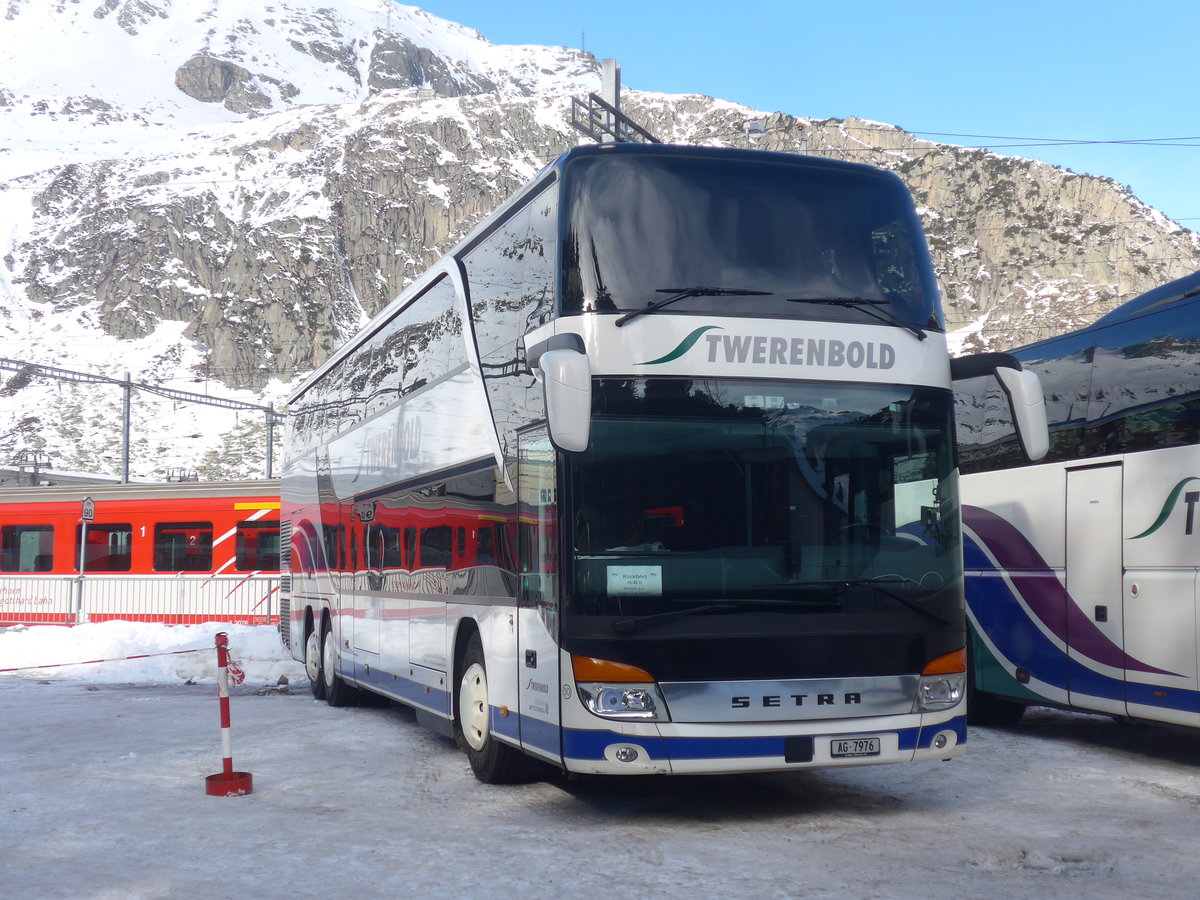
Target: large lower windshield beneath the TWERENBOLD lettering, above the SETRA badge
802,497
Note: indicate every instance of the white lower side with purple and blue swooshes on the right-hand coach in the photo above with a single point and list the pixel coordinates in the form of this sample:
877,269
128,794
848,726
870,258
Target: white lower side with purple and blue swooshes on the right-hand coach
1133,550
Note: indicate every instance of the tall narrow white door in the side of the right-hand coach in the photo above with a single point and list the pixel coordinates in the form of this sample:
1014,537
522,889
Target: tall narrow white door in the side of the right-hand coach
1095,567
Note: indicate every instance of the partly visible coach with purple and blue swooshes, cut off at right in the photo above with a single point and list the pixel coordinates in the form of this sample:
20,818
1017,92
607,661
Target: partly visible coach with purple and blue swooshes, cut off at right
1083,571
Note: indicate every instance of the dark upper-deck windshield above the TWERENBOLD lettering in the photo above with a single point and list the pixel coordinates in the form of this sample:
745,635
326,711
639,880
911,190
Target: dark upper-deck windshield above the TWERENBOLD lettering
757,235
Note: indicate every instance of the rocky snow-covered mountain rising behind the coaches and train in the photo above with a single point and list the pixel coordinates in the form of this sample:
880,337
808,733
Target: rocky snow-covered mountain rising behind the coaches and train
213,195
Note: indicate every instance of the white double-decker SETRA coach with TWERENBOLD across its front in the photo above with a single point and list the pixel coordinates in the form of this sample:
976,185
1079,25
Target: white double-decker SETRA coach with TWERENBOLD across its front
653,473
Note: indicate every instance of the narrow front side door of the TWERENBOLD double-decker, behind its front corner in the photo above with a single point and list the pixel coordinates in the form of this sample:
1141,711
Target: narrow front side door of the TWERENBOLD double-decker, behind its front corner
538,596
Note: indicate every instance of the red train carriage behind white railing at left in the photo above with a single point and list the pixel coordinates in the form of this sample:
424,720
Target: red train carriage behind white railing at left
178,554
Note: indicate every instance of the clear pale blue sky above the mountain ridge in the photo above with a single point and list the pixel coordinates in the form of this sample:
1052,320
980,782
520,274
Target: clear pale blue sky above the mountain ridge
1059,70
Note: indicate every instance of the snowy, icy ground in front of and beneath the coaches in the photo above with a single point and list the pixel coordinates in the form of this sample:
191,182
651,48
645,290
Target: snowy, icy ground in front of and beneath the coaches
104,800
